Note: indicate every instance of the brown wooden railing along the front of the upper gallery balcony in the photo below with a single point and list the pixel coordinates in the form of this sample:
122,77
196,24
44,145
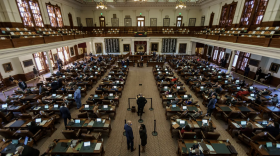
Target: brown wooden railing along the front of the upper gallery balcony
20,42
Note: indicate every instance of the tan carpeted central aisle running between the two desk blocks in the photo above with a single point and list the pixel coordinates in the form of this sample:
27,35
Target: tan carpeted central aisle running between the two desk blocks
163,144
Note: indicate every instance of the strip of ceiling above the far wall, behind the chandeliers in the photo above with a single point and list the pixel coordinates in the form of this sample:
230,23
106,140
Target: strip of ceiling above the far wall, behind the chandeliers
148,3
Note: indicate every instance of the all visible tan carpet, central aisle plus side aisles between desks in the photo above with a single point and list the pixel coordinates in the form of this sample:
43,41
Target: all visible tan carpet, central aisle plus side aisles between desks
161,145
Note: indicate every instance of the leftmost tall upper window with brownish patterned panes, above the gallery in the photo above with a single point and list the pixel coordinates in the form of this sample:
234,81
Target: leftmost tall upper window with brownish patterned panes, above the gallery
30,13
